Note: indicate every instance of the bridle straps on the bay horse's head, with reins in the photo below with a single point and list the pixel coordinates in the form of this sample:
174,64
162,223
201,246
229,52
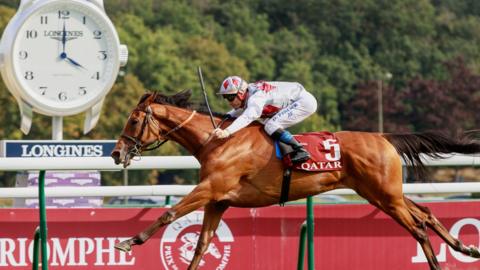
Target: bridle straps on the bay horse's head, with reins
137,148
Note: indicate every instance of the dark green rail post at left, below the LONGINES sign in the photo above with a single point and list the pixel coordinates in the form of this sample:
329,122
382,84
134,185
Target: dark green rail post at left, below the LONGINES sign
41,231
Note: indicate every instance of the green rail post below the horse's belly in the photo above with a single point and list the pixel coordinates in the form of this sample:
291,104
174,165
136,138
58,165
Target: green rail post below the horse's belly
307,229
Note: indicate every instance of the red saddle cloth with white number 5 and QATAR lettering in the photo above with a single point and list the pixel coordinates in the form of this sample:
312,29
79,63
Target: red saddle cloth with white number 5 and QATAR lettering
324,150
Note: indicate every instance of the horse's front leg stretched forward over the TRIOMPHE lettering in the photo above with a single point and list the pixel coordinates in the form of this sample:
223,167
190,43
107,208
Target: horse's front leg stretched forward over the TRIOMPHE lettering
196,199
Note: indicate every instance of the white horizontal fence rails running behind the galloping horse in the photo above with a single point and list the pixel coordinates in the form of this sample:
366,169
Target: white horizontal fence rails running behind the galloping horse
181,162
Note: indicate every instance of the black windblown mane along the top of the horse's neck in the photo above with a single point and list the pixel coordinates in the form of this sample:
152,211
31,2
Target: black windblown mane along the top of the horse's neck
180,99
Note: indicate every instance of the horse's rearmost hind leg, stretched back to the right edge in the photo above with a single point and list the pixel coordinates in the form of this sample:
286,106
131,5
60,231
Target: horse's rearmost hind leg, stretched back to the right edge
434,224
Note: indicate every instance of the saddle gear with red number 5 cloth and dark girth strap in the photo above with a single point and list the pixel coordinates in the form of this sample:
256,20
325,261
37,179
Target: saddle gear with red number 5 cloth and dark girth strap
325,155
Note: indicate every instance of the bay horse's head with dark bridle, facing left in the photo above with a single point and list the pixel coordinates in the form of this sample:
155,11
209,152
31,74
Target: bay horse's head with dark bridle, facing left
143,128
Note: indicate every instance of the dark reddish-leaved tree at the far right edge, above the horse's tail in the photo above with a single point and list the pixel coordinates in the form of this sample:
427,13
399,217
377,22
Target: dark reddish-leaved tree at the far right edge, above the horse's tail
450,104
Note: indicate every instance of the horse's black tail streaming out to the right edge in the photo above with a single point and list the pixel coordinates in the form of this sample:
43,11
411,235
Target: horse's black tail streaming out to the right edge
432,144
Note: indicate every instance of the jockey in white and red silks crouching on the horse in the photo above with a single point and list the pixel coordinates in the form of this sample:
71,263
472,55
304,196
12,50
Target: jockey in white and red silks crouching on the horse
278,105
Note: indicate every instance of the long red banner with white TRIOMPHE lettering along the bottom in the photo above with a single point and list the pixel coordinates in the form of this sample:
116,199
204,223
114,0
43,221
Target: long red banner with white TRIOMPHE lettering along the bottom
346,237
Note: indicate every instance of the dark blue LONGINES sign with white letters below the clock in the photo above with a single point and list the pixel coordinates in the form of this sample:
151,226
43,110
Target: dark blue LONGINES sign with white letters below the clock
44,148
